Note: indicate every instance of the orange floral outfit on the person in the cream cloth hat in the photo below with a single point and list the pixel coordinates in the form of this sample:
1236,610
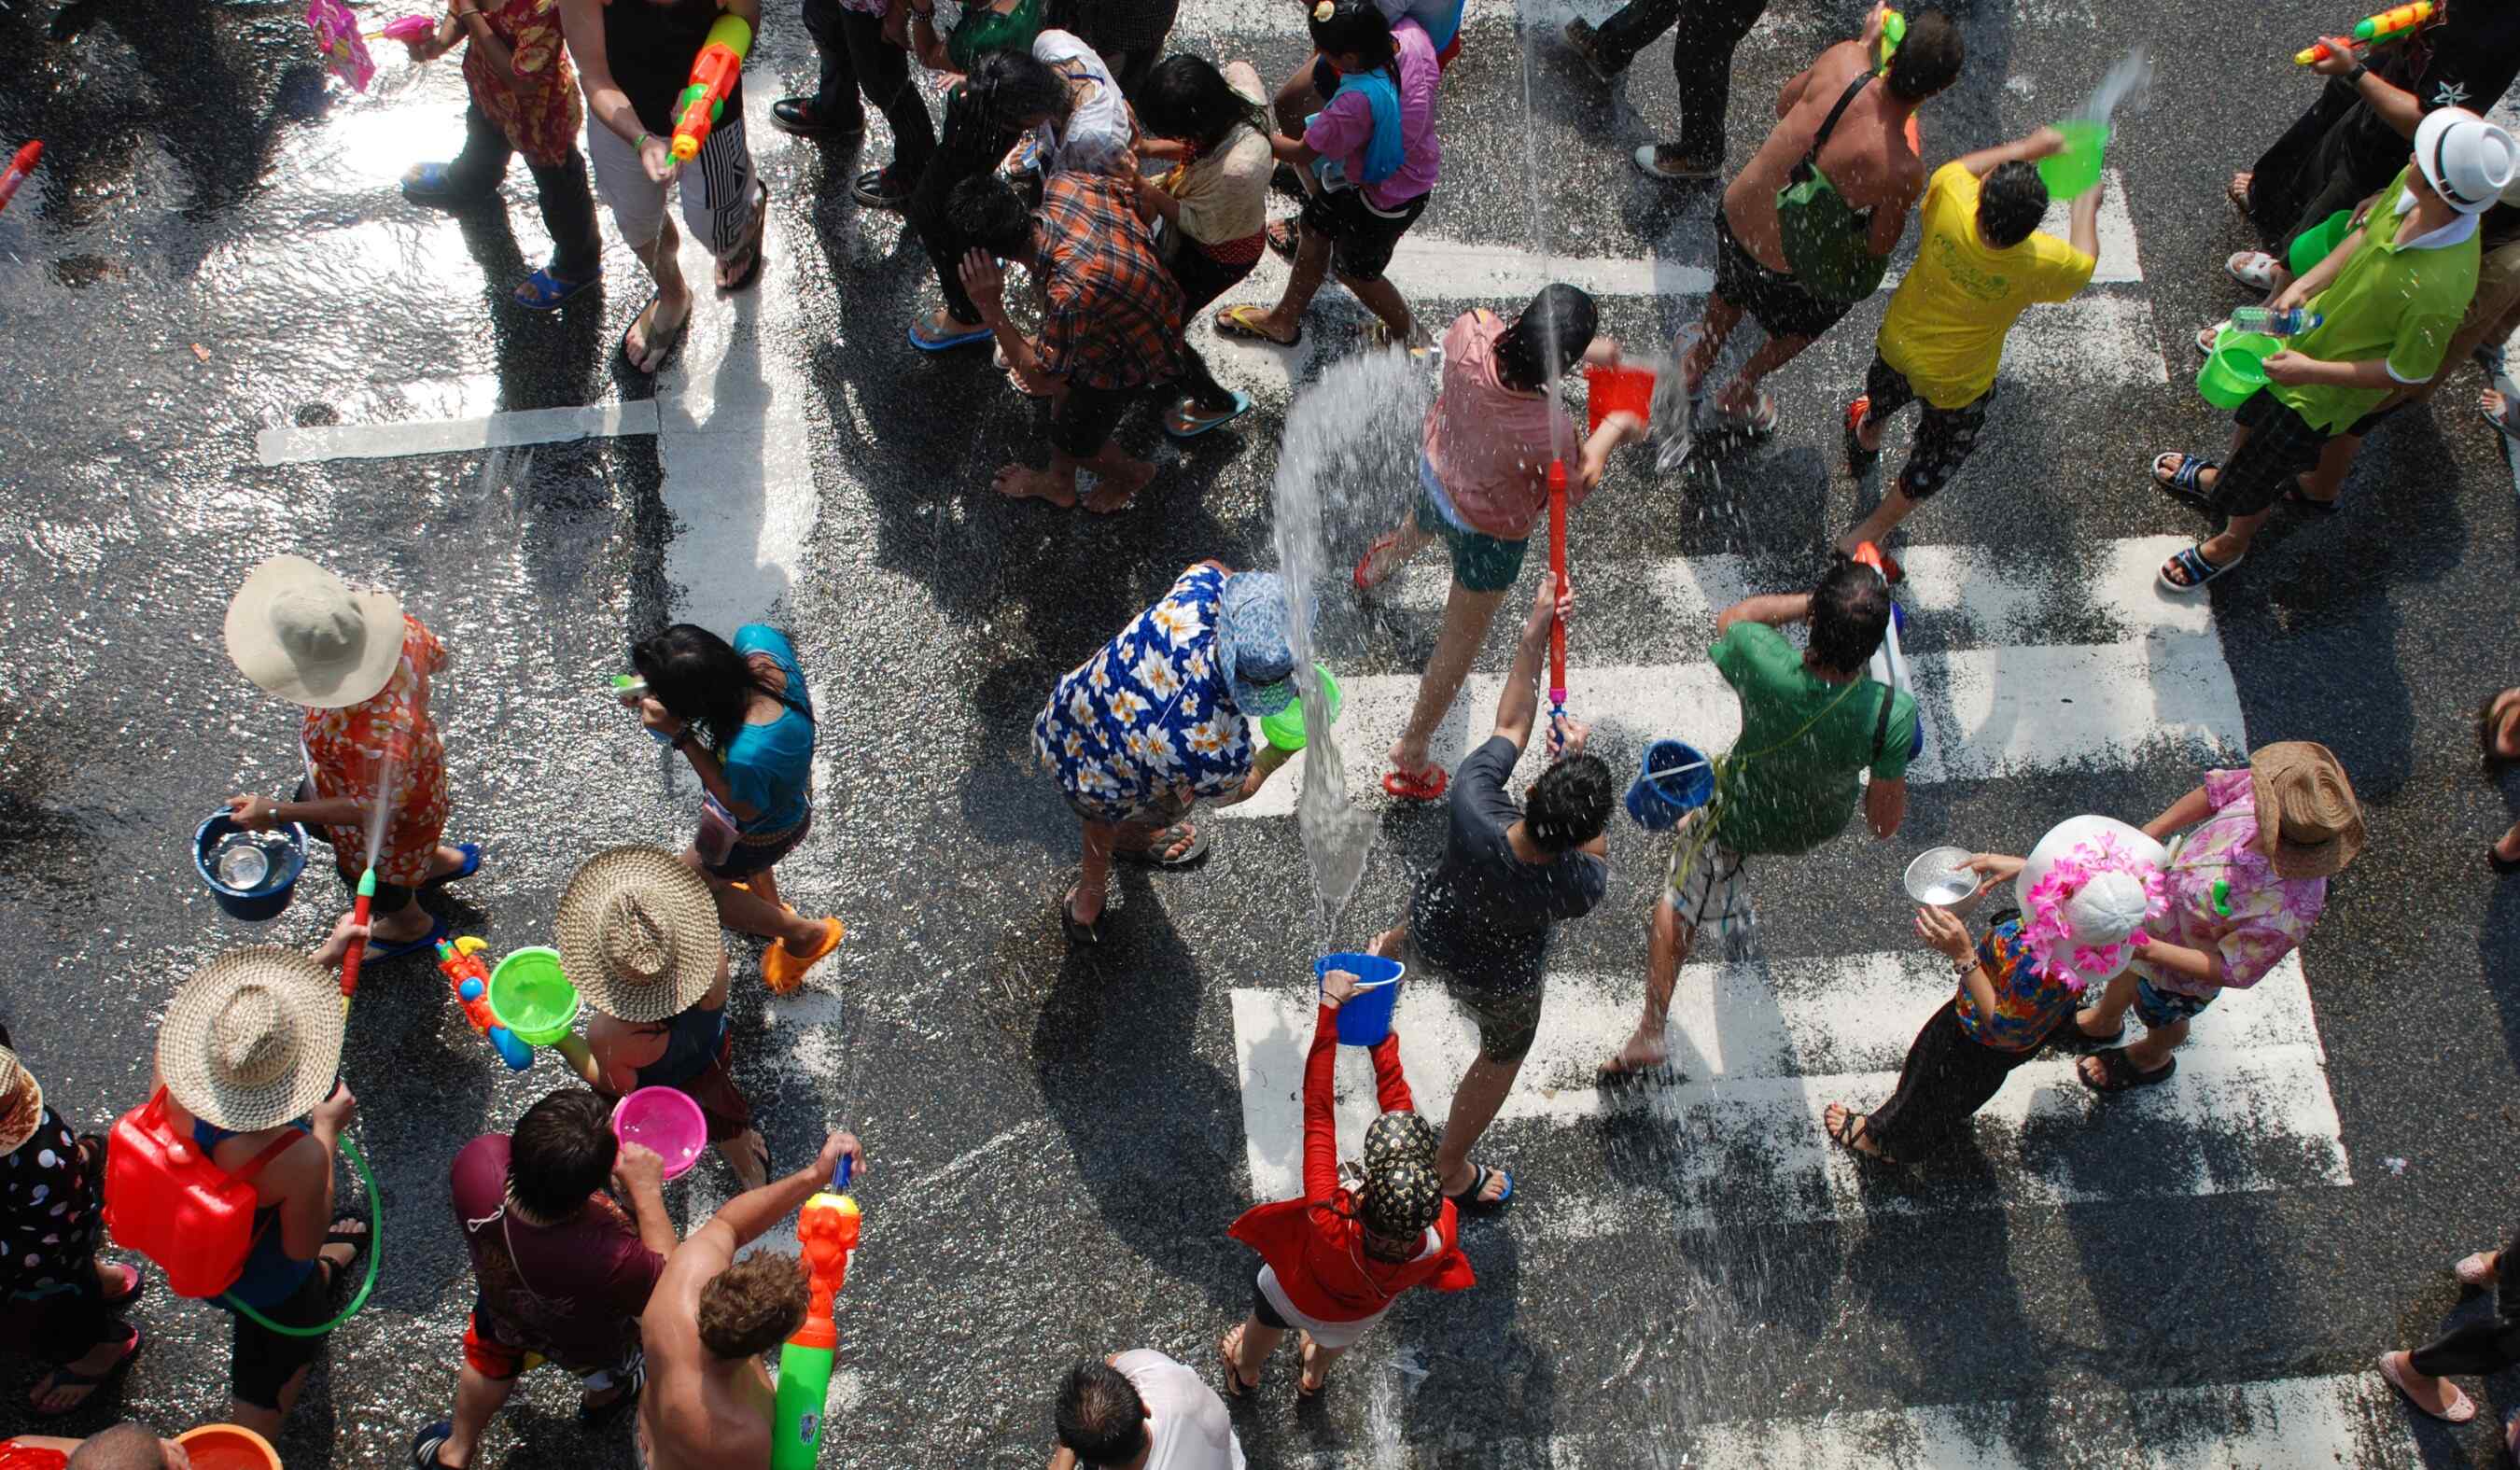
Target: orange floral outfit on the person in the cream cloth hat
346,758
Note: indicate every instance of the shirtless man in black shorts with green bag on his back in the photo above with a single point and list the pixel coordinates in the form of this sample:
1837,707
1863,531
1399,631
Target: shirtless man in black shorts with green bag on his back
1869,160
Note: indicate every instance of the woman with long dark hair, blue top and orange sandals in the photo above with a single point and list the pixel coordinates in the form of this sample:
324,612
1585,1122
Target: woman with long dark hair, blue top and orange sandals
742,717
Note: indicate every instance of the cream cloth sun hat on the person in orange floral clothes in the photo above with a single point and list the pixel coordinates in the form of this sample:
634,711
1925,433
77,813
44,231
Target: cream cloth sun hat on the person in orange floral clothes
306,637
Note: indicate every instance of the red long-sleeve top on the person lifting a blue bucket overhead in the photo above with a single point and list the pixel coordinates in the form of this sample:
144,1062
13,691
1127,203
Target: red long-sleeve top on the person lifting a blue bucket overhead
1314,1244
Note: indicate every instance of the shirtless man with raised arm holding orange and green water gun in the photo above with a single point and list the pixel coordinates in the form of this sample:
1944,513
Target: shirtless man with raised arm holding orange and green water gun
709,1322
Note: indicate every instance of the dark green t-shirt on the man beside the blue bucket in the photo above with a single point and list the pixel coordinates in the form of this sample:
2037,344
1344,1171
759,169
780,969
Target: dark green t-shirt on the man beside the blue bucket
1795,793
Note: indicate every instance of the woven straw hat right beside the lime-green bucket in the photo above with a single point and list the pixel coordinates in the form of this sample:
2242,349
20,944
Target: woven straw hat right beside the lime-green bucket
639,934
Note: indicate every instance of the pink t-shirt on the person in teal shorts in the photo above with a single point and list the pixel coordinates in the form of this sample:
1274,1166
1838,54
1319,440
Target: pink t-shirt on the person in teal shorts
1493,445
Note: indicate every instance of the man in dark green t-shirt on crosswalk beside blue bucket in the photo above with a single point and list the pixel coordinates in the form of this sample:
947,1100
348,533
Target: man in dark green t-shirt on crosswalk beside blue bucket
1811,725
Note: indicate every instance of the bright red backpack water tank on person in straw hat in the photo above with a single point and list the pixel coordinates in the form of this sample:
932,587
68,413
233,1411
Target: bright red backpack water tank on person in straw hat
170,1204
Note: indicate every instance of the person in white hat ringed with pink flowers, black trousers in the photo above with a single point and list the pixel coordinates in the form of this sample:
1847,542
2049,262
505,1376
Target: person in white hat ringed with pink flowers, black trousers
2083,894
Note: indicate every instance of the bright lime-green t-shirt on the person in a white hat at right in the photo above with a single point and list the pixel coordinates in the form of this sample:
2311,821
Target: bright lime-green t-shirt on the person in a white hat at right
2390,301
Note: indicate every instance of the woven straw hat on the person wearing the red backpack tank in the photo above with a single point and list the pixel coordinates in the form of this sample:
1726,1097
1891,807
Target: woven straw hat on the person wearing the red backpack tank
253,1040
